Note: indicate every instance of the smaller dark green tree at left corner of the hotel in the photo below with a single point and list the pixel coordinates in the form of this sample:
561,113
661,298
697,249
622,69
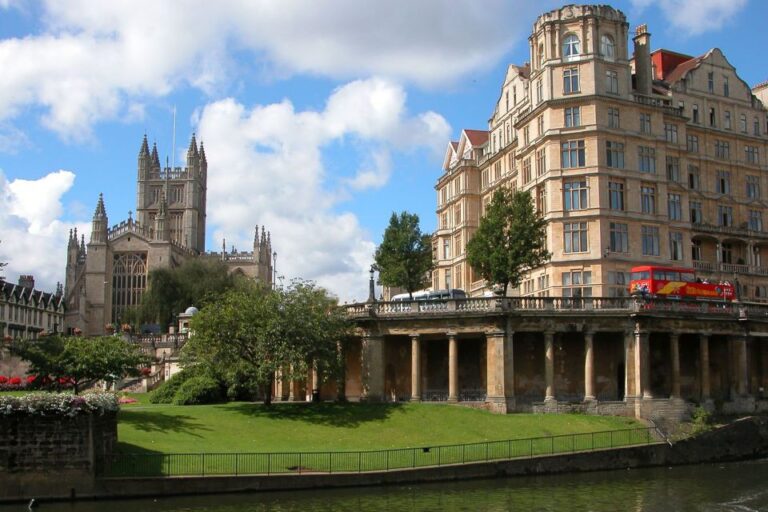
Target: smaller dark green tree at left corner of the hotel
405,254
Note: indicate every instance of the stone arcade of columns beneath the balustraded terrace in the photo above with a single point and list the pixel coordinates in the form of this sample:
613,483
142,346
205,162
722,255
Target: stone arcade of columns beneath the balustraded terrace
645,366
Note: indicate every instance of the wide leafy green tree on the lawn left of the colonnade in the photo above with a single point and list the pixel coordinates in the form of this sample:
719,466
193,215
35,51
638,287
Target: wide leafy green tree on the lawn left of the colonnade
255,331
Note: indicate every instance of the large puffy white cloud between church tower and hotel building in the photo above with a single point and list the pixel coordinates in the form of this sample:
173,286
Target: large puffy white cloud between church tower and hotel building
269,170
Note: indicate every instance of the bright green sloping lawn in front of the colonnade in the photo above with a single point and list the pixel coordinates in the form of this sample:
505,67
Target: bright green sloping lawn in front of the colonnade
247,427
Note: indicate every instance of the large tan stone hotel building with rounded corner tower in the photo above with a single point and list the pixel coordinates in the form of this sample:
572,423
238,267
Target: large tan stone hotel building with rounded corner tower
633,155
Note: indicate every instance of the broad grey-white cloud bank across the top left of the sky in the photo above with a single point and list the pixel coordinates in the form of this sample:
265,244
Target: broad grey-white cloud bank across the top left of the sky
93,60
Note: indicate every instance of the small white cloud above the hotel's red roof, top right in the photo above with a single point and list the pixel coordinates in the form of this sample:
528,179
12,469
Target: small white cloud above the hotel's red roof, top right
695,17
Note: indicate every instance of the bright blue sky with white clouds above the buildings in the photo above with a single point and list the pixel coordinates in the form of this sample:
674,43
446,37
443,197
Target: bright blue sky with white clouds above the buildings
319,118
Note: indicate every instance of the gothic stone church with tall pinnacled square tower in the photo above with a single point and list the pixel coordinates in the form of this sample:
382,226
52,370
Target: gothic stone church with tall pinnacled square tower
109,274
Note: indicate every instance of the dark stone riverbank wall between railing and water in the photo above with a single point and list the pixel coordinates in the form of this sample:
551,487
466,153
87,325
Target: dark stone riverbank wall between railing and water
742,440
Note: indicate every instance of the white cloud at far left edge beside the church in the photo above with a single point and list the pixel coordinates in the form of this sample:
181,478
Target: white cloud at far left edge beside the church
34,237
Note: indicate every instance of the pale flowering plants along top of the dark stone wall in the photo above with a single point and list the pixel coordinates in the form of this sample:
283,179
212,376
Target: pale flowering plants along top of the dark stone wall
58,404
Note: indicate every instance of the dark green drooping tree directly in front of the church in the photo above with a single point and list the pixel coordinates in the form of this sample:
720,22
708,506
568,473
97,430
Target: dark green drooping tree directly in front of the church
171,291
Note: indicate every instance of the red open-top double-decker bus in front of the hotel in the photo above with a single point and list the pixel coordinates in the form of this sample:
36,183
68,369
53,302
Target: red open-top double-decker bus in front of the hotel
677,283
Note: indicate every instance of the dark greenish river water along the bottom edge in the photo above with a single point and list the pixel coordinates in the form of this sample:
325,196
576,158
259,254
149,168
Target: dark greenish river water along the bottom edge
741,486
